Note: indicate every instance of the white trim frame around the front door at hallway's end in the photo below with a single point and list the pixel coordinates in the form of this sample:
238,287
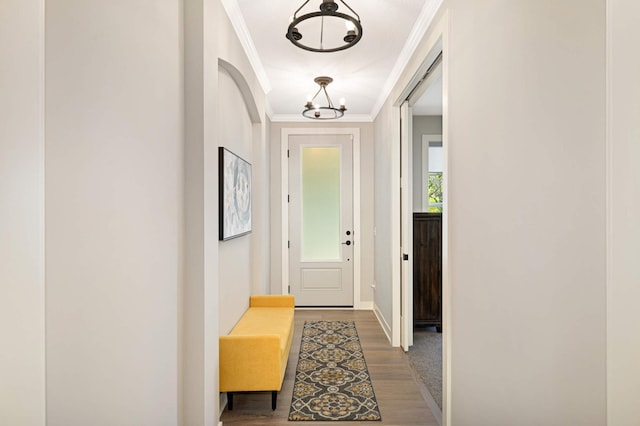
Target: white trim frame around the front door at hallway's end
284,192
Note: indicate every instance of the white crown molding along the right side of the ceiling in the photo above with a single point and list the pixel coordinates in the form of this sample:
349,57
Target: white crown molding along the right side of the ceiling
418,31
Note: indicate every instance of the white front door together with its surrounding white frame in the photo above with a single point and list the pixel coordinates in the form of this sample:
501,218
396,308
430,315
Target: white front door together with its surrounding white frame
322,271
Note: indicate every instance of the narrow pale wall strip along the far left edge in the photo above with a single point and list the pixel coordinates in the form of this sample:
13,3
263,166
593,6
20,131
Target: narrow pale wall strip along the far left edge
22,393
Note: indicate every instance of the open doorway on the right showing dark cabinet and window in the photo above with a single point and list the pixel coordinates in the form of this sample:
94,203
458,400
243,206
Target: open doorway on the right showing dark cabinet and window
423,234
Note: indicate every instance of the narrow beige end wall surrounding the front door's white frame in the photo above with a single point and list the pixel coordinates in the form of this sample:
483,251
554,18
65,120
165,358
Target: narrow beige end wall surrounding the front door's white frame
366,202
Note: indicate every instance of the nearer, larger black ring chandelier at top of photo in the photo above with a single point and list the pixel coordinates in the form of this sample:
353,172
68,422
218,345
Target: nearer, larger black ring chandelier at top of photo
332,39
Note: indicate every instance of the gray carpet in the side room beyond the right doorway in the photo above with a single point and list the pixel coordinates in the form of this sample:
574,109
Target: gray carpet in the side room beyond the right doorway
426,357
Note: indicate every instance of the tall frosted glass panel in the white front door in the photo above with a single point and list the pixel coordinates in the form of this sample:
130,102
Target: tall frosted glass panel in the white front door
321,203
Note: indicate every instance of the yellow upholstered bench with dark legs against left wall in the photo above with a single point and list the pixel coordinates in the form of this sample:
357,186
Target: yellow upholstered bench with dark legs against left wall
254,355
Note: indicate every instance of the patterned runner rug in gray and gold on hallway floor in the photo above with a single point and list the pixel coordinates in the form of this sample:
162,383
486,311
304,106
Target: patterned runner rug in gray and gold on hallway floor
332,381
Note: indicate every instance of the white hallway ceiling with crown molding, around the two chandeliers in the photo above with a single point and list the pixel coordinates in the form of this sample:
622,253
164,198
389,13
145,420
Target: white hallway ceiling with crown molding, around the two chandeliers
363,74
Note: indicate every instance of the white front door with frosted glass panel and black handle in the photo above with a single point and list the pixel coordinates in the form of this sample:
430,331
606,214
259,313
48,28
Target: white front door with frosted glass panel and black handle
321,234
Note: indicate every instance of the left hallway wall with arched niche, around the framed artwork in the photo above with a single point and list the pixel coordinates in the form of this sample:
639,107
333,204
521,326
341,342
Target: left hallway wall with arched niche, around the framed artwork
241,128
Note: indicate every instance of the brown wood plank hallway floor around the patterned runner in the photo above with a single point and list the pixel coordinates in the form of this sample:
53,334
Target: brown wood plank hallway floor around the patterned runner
399,397
